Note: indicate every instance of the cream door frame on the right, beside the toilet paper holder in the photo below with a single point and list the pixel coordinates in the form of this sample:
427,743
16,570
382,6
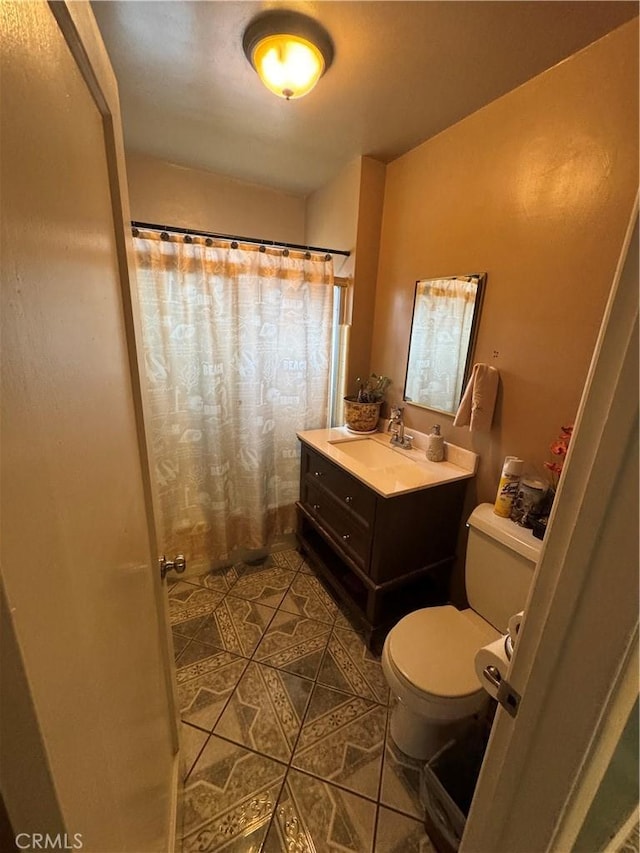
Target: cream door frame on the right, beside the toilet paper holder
575,665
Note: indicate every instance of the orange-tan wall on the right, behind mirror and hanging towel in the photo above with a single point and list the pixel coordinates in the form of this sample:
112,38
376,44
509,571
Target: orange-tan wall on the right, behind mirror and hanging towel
535,189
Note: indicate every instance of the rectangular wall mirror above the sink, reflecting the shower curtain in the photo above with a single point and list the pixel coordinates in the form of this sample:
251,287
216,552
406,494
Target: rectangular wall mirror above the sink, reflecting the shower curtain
443,330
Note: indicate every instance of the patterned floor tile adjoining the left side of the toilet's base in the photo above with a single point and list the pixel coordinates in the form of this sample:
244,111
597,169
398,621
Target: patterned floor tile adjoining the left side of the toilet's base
342,740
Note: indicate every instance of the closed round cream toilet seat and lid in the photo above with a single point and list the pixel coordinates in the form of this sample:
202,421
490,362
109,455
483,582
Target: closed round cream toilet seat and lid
430,656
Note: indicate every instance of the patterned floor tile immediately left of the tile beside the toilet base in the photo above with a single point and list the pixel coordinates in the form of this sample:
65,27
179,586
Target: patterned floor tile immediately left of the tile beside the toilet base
266,710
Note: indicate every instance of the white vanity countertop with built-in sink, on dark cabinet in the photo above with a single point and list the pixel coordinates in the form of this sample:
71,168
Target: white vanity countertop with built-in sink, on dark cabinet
386,476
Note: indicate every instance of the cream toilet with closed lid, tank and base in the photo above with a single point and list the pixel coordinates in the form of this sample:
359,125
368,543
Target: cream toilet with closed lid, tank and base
428,657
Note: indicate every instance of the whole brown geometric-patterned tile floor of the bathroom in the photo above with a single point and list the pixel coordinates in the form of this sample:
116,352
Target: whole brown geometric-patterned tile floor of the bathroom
285,720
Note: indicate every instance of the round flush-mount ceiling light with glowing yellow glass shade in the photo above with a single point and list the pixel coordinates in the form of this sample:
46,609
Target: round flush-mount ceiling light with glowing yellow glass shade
289,51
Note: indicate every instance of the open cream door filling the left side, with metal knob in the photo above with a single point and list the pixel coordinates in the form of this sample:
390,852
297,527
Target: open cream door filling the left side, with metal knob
88,743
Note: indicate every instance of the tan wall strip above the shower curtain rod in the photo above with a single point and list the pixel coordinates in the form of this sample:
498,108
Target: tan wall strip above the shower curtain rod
168,194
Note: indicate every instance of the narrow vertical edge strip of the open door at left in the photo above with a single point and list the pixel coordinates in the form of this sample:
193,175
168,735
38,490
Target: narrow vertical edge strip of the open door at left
80,30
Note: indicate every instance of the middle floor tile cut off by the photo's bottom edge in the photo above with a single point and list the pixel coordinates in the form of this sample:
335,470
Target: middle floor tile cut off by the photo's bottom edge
312,815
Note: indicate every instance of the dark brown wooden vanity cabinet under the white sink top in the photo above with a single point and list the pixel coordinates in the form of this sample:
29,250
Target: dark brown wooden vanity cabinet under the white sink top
383,556
